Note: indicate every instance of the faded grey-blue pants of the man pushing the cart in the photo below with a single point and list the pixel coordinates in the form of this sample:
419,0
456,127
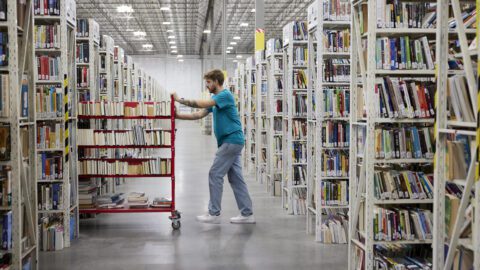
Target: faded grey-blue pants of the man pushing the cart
228,160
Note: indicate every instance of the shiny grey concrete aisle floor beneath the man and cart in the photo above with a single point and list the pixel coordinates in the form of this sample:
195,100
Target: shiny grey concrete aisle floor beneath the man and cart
146,241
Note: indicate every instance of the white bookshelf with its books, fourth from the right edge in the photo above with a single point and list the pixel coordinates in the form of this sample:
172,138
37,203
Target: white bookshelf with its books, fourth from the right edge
295,50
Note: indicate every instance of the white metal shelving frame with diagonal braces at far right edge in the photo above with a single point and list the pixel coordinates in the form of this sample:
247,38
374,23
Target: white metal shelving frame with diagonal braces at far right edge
448,131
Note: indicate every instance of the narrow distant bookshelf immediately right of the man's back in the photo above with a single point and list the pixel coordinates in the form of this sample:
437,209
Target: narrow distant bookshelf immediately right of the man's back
251,89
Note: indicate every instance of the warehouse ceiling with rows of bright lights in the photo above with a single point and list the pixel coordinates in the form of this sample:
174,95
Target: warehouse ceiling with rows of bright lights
182,23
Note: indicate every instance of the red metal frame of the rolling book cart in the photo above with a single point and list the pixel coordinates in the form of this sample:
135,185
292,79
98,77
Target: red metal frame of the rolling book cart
175,214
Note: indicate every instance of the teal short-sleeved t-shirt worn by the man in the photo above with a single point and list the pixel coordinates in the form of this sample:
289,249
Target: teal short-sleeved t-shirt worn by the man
226,121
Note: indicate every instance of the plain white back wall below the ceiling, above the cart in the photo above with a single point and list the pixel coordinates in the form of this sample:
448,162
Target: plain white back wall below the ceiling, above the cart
184,77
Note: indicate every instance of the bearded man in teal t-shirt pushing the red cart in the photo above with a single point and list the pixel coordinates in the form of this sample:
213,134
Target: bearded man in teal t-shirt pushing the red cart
230,141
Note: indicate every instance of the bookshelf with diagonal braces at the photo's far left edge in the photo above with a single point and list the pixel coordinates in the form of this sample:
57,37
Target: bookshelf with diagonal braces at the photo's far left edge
17,117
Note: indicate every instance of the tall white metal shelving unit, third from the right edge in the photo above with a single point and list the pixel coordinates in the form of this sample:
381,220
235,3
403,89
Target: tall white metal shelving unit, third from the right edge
324,92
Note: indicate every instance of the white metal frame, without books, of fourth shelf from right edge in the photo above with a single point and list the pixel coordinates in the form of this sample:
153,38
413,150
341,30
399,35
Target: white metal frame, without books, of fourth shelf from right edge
293,194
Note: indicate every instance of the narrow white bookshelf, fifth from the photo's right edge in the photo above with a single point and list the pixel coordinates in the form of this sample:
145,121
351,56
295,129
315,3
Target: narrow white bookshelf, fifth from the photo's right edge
275,83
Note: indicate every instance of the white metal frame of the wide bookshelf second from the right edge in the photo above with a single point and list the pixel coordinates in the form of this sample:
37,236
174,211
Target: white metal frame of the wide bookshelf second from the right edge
366,28
